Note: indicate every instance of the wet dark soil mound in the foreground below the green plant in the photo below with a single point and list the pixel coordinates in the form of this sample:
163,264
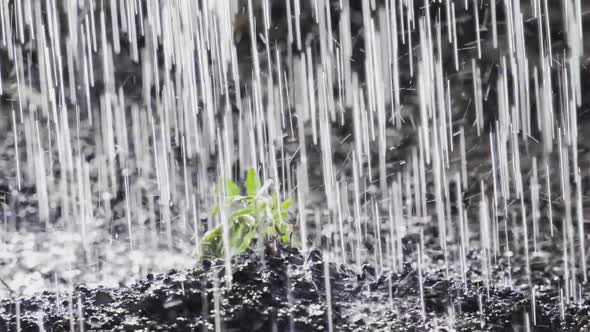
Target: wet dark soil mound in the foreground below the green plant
284,291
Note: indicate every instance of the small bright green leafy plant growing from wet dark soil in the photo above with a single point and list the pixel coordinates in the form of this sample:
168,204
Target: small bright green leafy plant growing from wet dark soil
251,217
